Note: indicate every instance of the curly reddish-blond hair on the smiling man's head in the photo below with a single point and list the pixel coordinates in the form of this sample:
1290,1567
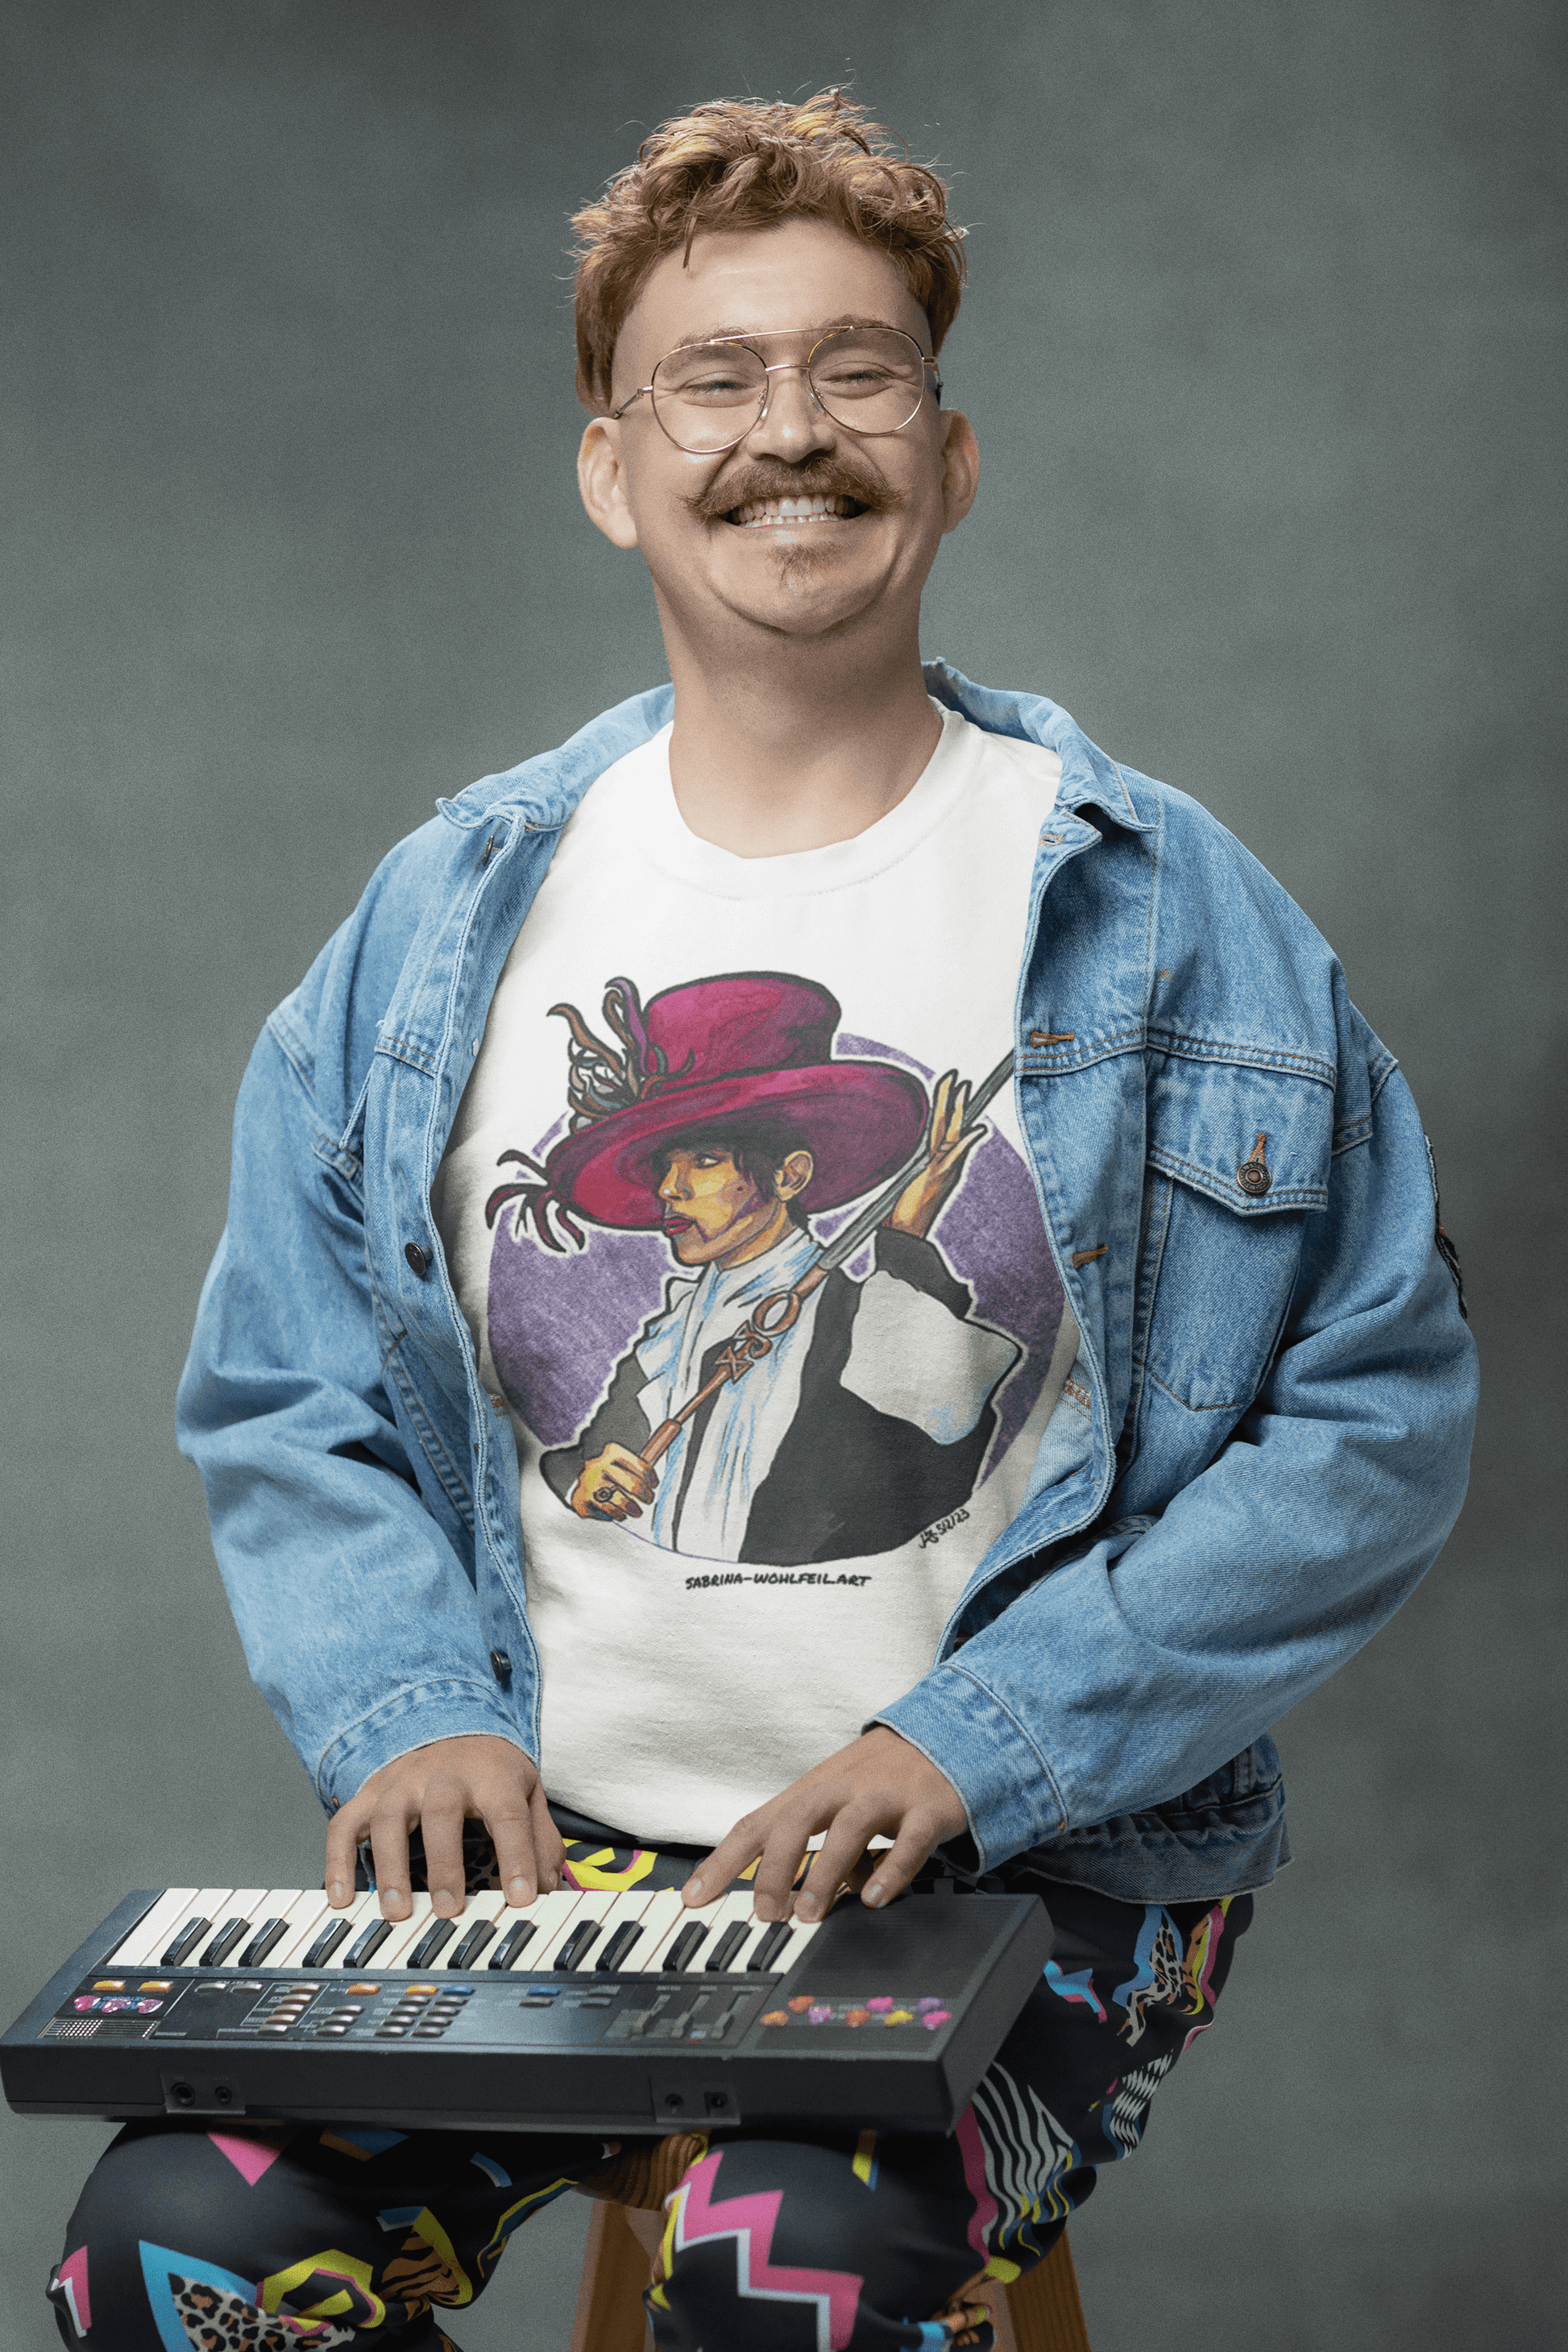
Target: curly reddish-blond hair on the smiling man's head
739,163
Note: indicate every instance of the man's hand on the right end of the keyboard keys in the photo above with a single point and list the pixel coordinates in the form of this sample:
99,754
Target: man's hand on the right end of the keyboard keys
873,1789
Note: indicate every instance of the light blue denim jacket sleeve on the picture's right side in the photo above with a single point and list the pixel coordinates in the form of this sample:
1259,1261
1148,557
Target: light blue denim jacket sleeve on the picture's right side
1153,1655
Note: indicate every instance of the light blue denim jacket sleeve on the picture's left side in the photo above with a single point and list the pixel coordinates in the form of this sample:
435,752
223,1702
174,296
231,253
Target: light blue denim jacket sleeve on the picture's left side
354,1601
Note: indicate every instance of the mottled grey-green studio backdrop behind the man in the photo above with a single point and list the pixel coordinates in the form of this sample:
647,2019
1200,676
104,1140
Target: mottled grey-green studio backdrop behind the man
1266,354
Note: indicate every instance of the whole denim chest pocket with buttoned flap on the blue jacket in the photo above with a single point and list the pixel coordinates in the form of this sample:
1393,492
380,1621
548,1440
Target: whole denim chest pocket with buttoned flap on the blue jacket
1238,1158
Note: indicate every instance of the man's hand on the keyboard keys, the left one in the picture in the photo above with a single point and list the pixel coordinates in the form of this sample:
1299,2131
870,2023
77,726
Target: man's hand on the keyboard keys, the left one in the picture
441,1786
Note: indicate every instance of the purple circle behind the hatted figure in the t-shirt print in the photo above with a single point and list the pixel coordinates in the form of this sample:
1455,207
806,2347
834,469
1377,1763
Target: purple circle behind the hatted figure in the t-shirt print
561,1321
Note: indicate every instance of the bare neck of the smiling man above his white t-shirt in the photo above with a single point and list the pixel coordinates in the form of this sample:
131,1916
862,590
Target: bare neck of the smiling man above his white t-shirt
800,751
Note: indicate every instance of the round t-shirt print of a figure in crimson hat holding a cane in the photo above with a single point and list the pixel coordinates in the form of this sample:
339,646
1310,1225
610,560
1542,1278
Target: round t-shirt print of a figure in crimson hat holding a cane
756,1292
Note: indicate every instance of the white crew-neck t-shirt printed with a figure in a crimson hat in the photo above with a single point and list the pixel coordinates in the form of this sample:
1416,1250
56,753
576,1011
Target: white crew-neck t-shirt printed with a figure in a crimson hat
739,1215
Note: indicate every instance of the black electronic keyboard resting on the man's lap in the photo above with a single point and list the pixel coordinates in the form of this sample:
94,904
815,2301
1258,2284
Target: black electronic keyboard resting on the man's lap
591,2012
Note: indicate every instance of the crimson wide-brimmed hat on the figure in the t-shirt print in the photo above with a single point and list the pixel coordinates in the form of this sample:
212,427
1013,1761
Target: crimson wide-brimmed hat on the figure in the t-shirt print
742,1045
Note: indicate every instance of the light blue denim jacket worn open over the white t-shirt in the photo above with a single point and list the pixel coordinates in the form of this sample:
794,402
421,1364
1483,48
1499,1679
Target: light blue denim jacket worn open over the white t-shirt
1261,1450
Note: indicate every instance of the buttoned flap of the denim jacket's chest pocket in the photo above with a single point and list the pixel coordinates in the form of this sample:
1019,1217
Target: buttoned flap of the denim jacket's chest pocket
1249,1137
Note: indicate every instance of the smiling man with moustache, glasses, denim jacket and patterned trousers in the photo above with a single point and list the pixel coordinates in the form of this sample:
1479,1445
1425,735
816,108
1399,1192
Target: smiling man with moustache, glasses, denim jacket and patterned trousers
1127,1387
